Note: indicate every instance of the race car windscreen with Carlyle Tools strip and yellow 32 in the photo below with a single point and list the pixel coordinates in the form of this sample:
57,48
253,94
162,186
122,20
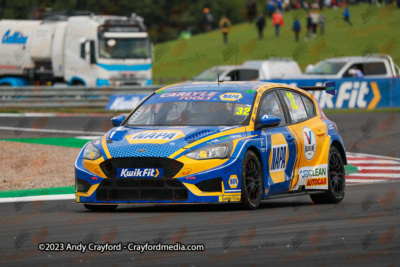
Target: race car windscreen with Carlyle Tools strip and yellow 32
194,109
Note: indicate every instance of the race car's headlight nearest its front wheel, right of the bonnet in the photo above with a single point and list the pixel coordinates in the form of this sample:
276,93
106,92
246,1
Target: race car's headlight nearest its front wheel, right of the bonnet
217,151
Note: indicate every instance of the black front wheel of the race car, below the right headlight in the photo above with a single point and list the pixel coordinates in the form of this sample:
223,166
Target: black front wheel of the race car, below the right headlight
252,181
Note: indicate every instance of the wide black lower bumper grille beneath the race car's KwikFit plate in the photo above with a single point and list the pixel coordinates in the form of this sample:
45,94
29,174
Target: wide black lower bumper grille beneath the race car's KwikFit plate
126,189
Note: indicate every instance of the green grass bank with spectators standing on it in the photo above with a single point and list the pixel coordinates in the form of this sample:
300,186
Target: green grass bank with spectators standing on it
180,59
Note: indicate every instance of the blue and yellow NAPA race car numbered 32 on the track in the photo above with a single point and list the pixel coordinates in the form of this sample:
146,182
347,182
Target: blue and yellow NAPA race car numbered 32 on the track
215,142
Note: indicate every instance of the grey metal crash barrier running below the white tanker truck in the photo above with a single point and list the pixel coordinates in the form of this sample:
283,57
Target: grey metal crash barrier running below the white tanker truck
73,96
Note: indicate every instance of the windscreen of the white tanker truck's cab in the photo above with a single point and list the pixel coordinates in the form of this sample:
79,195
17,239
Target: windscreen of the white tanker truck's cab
122,48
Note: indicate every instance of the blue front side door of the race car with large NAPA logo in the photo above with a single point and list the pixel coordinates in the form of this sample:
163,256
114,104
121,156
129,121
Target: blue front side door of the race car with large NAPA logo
280,146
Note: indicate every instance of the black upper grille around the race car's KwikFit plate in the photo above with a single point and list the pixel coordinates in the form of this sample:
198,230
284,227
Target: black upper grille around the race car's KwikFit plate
170,166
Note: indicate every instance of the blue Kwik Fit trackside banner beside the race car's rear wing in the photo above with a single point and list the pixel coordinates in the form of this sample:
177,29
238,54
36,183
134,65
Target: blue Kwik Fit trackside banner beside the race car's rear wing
355,93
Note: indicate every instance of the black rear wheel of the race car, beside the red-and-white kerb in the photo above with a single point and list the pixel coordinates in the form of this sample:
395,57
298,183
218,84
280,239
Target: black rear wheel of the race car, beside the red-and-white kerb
336,180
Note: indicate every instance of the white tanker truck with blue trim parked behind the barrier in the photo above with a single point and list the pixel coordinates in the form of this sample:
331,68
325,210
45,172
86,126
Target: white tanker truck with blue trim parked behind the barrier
79,50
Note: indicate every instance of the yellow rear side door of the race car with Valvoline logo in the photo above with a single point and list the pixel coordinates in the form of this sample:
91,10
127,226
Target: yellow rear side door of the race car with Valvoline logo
313,141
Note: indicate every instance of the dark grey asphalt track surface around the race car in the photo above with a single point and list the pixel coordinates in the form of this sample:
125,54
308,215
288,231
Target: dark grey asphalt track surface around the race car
362,230
